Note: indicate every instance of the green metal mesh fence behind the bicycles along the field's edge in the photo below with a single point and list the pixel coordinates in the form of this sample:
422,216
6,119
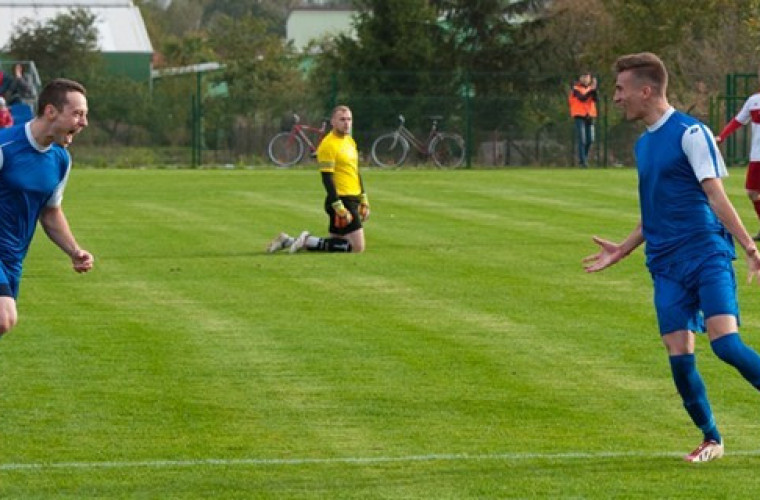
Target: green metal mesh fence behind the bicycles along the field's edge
504,124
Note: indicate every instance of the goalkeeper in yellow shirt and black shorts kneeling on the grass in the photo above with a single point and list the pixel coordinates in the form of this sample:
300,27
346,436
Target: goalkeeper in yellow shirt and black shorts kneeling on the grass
346,203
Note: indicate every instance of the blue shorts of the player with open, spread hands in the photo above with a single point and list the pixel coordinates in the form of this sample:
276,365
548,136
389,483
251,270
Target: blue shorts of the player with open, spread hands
686,293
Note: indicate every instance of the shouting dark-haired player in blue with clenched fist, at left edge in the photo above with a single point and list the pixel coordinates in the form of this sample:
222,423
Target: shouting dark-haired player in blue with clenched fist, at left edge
34,167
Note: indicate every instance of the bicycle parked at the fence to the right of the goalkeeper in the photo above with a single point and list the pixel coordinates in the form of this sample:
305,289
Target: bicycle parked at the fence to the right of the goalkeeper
445,148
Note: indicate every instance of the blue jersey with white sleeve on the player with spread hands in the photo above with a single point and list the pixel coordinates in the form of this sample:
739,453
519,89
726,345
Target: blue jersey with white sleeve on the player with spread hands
673,157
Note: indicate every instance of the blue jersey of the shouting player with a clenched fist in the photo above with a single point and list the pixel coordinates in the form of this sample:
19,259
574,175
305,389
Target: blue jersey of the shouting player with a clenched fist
31,178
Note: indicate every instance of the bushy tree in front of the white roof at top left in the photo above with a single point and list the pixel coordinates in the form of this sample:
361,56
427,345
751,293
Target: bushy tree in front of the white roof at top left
65,45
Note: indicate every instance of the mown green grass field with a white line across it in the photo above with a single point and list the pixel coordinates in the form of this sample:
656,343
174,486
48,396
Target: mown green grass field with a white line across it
464,355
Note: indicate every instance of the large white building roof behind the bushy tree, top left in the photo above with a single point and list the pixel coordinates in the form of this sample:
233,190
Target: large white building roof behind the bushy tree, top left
120,25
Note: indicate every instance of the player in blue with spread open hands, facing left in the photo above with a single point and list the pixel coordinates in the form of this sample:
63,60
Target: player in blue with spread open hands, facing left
689,226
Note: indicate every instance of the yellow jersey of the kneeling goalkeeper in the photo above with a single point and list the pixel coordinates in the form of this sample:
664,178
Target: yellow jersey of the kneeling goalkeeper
339,156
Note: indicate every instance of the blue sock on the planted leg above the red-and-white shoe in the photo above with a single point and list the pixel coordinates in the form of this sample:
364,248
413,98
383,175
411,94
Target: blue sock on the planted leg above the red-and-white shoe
692,390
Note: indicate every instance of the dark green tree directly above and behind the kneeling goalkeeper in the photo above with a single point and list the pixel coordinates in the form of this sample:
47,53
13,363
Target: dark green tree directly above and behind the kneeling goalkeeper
398,62
